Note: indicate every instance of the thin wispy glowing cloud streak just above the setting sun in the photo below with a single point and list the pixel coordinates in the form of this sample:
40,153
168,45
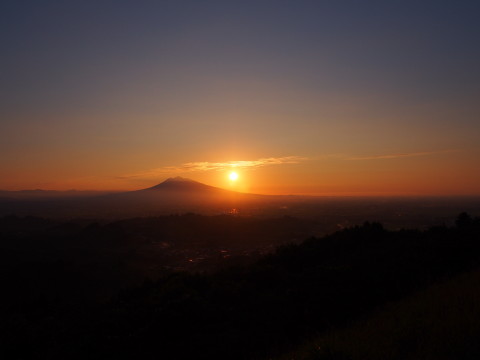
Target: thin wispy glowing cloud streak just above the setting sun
216,166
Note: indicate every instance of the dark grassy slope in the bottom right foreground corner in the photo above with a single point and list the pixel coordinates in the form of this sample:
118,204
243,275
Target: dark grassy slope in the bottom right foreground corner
441,322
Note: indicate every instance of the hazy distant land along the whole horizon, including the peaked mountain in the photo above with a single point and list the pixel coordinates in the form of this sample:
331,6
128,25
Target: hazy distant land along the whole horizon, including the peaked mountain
180,195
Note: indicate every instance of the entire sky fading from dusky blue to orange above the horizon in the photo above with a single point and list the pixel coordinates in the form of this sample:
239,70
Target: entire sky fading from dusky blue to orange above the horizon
301,97
